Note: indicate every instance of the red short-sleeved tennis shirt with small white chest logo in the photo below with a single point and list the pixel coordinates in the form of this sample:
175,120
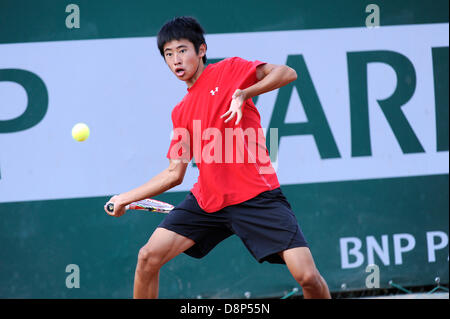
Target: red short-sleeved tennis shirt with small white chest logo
233,160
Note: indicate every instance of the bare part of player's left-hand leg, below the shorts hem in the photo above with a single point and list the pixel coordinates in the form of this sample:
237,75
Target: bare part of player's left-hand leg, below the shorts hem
162,246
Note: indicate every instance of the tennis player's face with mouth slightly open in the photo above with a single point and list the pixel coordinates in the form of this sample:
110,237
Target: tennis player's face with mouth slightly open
182,59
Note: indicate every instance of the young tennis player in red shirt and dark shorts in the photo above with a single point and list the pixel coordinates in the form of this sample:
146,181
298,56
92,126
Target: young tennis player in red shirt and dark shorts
235,193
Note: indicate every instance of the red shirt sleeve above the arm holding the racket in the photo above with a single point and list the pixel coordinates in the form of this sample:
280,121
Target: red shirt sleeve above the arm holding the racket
180,142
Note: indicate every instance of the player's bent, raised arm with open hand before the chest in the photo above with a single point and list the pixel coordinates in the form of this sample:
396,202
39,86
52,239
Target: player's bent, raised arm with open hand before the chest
269,77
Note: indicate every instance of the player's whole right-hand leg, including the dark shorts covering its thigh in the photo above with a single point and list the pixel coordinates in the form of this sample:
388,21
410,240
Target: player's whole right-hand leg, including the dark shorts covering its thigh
270,231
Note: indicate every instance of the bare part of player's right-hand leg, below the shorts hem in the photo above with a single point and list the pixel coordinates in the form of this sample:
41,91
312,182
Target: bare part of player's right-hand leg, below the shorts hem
301,265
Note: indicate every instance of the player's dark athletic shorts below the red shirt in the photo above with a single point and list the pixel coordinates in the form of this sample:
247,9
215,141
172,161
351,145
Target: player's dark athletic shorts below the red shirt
266,224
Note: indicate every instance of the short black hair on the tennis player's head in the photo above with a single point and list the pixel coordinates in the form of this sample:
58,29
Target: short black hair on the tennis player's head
181,28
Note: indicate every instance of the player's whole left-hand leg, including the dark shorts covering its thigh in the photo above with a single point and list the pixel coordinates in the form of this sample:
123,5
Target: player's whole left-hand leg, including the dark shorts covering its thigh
186,229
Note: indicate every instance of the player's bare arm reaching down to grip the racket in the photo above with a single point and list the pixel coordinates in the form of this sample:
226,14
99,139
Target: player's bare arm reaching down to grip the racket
172,176
